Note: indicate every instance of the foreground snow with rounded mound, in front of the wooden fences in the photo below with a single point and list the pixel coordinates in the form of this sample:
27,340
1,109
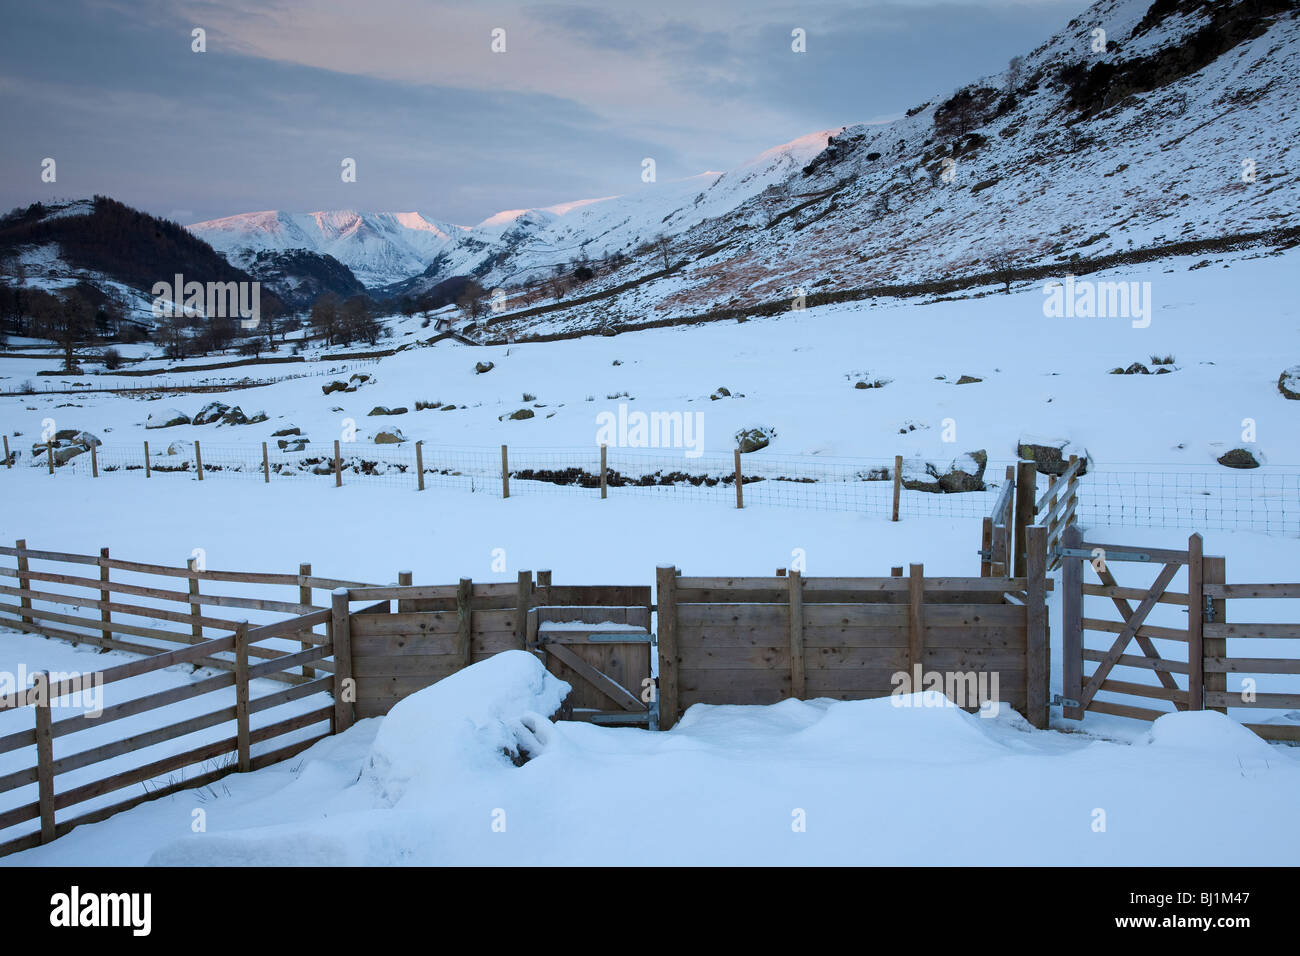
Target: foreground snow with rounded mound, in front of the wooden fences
817,782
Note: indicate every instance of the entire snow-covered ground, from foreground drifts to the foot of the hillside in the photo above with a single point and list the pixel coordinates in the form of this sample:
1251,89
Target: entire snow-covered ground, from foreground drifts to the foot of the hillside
877,784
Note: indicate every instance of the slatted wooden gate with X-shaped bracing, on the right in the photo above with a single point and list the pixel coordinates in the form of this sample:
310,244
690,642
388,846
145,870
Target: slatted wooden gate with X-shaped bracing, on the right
1178,673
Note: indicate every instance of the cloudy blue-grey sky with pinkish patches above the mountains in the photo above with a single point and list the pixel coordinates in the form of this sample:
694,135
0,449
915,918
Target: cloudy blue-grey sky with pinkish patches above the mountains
435,119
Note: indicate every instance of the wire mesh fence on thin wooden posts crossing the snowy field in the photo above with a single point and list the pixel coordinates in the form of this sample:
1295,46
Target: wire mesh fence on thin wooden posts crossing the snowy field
1194,498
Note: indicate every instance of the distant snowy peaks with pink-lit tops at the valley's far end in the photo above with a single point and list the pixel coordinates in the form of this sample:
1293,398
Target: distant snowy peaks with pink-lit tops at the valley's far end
379,248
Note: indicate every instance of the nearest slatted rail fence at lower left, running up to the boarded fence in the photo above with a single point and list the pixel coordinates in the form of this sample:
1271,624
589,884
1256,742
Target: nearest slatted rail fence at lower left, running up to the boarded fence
42,699
